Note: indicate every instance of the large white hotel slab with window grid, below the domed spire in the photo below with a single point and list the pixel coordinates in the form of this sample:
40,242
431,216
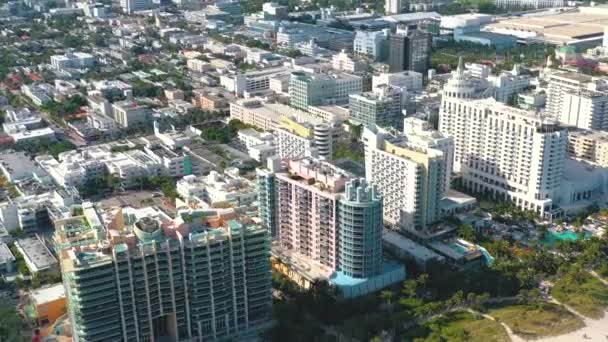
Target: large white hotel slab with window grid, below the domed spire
504,152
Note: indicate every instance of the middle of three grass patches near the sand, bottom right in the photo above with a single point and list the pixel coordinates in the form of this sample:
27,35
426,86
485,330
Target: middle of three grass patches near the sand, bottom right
535,321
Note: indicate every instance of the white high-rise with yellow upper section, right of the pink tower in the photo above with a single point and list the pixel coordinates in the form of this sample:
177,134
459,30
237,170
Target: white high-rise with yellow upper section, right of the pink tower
410,178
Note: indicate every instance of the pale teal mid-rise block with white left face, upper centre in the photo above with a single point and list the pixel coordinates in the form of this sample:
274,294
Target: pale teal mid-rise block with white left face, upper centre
320,89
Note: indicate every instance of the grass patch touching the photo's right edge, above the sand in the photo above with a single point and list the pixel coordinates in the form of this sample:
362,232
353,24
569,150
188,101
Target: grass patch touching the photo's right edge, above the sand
587,295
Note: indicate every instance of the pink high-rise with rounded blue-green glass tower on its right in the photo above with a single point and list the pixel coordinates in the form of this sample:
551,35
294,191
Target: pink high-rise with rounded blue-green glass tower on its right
328,225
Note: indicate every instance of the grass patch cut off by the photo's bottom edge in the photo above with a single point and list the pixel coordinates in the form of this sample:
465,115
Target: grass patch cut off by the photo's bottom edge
458,326
